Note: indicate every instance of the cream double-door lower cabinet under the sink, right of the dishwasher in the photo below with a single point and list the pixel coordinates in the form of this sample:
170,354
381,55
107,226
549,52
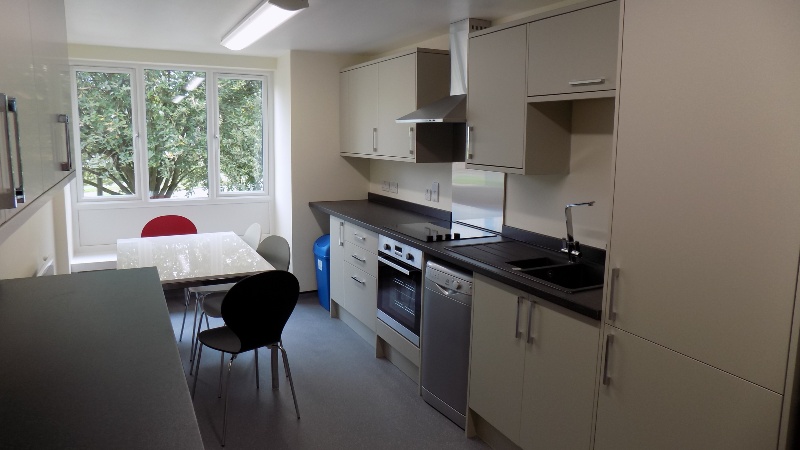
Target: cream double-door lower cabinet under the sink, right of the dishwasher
533,368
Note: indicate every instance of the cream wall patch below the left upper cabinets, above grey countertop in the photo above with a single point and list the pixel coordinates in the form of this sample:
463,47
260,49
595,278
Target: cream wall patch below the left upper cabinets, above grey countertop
23,252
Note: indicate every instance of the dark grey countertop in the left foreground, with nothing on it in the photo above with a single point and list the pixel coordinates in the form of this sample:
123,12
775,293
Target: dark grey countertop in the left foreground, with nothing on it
90,361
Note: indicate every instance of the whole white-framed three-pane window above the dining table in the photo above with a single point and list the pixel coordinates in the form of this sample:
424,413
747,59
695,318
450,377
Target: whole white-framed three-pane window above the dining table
202,133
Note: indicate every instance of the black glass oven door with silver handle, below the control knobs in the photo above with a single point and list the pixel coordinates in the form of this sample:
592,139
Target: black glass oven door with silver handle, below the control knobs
400,296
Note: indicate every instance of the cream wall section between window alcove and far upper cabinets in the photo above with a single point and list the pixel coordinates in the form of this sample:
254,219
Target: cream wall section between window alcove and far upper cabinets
318,173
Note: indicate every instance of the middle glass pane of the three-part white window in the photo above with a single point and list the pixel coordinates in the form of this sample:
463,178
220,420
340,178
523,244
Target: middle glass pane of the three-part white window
177,156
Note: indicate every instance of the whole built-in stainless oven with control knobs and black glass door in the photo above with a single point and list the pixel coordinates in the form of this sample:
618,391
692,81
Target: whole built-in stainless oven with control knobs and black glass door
400,287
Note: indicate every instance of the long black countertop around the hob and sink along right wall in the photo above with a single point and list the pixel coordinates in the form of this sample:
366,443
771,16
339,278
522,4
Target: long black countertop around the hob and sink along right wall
378,217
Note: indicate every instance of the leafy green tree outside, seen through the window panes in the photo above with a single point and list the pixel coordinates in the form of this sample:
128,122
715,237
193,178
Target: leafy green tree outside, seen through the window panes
176,118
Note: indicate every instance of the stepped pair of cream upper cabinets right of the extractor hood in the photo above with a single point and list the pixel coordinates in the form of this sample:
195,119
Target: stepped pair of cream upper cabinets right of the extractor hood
523,78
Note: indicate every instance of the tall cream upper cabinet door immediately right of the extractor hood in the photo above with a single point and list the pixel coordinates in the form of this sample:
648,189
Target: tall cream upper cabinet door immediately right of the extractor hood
496,101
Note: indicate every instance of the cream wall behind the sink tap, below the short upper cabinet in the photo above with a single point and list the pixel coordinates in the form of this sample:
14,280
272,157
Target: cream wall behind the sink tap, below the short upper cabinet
536,202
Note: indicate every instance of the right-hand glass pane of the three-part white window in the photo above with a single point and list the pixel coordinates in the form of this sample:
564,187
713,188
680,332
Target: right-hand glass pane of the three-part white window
241,130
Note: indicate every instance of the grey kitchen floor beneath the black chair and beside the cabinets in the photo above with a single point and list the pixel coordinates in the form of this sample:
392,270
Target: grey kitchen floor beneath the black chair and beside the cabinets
348,398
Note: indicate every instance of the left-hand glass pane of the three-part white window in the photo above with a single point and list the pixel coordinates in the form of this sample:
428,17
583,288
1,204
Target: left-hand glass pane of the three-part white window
105,123
